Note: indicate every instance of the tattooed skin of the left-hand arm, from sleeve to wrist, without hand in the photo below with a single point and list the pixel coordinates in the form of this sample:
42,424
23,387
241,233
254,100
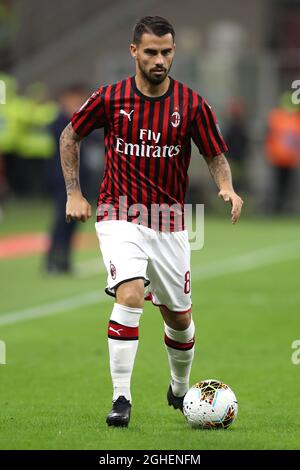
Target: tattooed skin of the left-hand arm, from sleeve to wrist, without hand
69,157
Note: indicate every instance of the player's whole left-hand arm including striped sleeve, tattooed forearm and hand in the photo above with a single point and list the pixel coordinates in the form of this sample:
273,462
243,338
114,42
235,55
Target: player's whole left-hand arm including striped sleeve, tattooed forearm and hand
90,116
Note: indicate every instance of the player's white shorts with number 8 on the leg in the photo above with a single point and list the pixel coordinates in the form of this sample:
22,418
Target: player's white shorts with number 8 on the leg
131,251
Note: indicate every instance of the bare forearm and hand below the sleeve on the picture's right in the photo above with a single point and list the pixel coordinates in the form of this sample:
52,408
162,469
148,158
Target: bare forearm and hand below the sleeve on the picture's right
220,170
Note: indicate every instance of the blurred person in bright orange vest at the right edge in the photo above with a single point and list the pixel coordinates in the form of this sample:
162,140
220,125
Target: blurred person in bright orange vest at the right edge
282,147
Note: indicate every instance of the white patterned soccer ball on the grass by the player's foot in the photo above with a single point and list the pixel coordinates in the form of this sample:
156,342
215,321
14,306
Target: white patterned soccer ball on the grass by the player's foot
210,404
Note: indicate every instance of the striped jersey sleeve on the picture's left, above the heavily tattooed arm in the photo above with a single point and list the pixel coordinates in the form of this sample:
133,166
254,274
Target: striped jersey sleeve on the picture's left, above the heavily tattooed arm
91,115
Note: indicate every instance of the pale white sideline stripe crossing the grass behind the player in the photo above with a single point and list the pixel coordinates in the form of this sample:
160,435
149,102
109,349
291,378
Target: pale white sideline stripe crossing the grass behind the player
239,263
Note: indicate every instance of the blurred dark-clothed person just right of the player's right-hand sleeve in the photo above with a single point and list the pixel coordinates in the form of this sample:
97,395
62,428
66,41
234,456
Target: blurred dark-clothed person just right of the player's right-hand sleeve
236,137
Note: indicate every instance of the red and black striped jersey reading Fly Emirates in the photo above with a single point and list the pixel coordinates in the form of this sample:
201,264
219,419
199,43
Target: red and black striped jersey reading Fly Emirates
148,149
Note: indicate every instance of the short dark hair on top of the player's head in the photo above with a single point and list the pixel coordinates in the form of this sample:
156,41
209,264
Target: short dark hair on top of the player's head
152,25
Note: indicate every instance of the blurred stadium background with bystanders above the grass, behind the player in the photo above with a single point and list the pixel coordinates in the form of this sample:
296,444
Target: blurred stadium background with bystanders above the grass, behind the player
242,58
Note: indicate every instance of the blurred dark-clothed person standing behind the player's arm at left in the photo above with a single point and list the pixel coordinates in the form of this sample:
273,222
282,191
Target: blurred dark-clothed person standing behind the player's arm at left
58,259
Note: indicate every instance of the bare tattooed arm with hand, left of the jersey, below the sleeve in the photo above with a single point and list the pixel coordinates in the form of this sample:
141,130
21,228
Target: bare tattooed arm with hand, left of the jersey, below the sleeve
77,207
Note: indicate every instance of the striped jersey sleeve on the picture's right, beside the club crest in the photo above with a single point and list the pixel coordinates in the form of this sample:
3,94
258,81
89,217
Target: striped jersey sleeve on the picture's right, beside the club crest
206,132
